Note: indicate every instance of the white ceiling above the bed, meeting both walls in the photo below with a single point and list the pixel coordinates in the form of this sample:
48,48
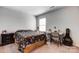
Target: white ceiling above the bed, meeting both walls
33,10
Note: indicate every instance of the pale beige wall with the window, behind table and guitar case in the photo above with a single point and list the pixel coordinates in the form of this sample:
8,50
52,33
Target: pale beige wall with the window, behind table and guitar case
66,17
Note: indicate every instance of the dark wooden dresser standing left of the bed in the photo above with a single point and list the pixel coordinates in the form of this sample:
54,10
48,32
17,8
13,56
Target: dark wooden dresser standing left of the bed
7,38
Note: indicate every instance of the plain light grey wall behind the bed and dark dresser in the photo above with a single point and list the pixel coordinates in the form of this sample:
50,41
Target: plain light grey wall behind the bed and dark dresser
13,20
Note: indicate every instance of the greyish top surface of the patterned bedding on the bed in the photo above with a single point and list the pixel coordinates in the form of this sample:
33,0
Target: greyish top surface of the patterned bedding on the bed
21,34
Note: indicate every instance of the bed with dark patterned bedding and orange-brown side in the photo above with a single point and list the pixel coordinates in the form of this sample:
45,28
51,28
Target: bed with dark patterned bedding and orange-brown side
29,40
